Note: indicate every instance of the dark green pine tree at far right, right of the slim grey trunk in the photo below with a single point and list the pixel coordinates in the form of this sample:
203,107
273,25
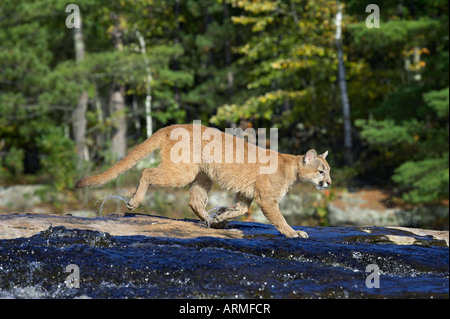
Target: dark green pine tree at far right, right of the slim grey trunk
407,130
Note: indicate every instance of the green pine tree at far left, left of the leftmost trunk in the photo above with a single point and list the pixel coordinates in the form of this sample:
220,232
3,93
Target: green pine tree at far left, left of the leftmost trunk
28,124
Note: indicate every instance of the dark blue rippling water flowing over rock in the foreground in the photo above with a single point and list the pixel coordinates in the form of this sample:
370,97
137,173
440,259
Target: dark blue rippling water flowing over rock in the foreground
330,264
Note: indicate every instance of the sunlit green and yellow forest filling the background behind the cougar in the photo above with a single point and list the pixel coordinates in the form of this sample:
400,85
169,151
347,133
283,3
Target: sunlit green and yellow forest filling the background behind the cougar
84,81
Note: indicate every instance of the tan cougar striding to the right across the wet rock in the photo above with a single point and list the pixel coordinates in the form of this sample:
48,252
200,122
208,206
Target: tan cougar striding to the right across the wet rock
244,179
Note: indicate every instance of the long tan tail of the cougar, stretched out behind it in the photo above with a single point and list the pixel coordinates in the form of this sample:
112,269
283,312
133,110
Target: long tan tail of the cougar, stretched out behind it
136,155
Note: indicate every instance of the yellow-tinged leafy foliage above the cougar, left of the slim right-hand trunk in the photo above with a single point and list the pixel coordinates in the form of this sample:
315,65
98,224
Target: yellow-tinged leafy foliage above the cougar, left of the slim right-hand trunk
288,67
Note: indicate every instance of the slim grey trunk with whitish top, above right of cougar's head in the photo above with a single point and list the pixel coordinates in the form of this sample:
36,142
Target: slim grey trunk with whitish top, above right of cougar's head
348,143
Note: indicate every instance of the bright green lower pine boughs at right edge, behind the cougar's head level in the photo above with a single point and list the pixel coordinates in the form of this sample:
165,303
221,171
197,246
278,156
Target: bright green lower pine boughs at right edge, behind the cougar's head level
425,176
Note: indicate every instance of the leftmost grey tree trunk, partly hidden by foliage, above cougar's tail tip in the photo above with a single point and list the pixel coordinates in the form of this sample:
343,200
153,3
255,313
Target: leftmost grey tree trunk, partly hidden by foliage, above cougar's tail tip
79,122
